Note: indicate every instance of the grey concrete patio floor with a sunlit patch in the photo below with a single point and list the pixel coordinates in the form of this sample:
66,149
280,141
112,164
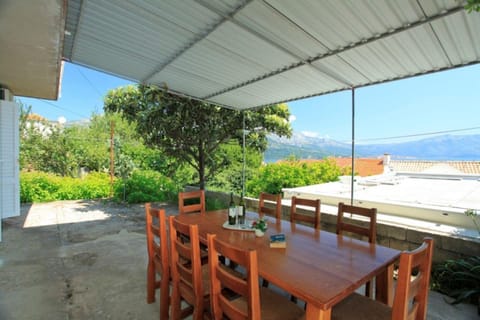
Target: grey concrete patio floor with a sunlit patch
87,260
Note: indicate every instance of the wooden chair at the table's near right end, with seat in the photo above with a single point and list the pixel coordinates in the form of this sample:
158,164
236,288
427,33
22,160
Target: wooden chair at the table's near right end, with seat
411,294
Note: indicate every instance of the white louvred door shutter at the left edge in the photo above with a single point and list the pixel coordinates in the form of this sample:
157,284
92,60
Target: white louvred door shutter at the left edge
9,166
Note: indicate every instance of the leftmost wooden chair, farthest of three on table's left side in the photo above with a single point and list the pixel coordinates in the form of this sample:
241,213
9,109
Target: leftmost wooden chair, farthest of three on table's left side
158,260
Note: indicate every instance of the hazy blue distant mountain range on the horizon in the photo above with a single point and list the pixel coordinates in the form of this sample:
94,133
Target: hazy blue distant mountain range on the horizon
445,147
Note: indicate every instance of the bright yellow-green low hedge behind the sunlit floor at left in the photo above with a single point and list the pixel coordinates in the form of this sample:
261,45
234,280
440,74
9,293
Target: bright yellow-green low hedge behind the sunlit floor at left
44,187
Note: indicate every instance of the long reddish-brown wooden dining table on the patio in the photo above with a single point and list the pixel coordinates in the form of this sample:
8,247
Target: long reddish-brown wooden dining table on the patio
318,267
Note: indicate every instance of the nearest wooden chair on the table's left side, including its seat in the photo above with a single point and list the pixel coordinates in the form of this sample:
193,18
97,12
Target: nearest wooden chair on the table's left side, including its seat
253,302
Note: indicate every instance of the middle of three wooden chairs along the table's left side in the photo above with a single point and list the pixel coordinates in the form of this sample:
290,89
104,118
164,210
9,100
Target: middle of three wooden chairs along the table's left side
189,279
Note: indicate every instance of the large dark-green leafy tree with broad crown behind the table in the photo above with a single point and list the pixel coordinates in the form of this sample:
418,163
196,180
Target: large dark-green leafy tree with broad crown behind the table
192,131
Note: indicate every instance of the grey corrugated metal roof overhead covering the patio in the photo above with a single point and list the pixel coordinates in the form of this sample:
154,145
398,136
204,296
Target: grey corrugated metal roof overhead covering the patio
245,54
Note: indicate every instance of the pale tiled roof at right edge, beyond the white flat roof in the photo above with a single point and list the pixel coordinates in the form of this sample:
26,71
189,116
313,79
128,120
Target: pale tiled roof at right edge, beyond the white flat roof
424,166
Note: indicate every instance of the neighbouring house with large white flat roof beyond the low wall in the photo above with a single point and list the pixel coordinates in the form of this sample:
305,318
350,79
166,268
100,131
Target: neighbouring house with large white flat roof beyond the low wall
434,191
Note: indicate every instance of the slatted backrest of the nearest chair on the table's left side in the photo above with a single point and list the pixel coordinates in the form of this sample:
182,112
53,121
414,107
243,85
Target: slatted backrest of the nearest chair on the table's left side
247,306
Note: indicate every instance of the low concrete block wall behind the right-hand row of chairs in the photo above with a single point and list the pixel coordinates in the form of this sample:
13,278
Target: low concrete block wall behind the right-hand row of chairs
393,233
